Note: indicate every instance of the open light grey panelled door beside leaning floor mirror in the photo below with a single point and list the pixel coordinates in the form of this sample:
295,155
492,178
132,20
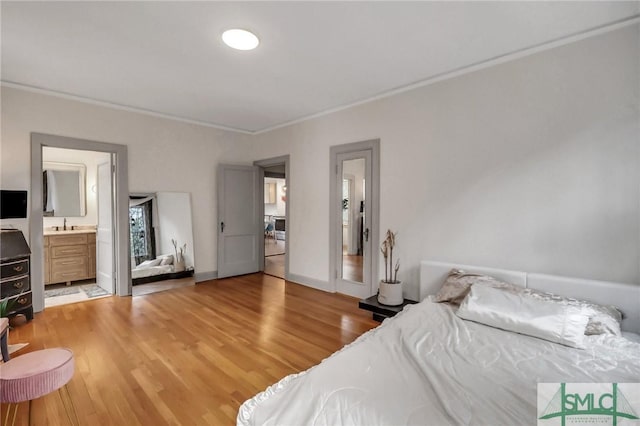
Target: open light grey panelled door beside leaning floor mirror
239,229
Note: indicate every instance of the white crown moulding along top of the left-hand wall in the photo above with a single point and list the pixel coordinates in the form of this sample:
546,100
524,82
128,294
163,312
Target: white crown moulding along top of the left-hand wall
111,105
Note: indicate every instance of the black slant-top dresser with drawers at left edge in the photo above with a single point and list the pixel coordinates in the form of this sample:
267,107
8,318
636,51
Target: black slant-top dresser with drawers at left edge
15,273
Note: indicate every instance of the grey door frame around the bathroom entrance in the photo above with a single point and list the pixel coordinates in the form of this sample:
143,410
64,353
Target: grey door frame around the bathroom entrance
121,189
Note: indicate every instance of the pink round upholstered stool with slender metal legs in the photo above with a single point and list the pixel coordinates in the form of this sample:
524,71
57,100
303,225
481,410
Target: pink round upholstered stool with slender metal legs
32,375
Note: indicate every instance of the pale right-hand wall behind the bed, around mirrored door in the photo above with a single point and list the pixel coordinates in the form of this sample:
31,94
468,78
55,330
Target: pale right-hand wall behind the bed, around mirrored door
532,165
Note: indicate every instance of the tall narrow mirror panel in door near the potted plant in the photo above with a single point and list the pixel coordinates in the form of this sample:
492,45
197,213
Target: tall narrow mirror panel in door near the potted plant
353,185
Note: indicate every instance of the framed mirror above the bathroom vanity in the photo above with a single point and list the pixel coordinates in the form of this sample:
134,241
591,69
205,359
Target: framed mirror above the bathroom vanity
63,189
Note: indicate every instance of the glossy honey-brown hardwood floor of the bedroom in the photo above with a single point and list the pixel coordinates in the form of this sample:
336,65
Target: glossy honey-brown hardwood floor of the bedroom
187,356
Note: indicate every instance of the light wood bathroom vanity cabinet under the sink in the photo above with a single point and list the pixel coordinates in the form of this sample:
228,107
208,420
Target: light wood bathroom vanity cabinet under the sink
69,256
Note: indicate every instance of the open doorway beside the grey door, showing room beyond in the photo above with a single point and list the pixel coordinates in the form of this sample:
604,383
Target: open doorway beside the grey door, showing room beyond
275,213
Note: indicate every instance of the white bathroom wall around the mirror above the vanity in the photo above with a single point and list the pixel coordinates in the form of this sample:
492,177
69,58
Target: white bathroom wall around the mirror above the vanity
90,159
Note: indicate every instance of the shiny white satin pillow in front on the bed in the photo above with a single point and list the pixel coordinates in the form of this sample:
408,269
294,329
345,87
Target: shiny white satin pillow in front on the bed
564,324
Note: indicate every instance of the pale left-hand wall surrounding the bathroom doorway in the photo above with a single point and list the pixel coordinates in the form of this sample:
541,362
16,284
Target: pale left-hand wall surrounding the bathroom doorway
164,155
